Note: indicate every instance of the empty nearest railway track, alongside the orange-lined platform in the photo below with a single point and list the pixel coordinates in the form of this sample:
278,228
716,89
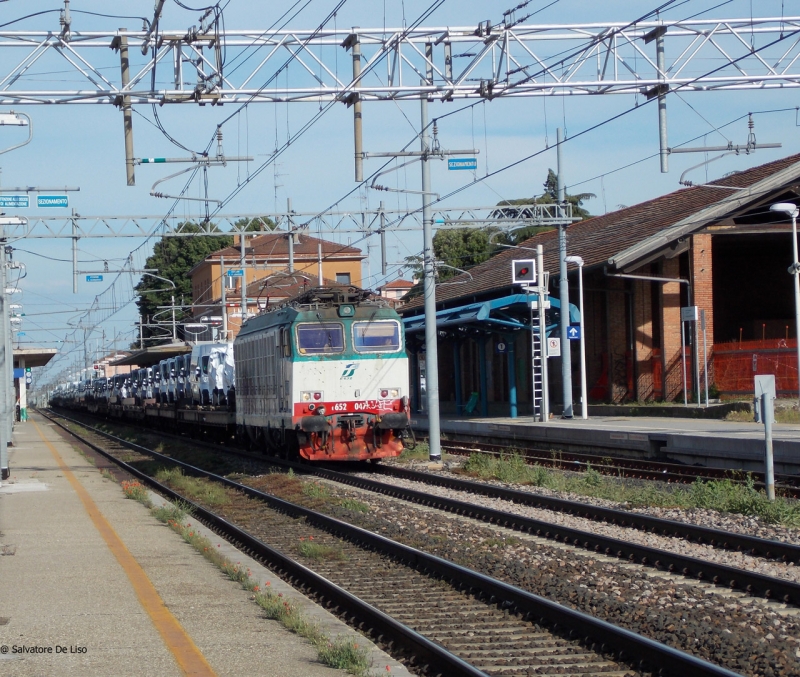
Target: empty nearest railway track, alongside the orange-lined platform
443,618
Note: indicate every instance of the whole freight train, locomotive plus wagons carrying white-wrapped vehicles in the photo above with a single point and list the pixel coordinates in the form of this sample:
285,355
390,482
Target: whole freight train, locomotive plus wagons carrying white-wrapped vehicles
323,377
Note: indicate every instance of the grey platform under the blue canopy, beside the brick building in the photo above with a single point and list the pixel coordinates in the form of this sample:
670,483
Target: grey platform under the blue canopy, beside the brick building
706,442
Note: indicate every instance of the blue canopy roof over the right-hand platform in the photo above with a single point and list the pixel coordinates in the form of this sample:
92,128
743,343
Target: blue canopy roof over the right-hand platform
505,313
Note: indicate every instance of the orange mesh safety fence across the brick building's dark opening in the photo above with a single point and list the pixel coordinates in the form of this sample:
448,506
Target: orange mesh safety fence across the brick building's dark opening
736,363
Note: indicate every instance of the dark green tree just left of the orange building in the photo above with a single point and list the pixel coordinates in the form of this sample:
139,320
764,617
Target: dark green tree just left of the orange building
173,258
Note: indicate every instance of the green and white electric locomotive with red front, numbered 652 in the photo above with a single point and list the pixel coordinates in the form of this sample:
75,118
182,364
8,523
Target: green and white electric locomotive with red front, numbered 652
324,377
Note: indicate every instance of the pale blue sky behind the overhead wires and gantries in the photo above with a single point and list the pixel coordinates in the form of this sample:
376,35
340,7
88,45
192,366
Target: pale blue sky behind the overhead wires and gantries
83,145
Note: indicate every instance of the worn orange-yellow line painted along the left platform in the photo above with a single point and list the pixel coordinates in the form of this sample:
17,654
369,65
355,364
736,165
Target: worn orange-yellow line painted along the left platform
189,657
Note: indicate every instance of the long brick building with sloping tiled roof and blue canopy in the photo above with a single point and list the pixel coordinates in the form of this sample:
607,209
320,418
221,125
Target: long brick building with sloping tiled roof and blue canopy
715,246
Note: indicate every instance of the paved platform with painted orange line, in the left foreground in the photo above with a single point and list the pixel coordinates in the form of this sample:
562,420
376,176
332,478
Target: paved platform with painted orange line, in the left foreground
93,584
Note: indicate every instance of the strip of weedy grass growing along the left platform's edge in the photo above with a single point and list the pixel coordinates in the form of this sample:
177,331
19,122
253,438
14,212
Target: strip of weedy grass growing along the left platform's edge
343,653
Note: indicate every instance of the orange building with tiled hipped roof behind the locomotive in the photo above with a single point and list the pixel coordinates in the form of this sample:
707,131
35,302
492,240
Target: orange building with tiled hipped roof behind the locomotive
266,260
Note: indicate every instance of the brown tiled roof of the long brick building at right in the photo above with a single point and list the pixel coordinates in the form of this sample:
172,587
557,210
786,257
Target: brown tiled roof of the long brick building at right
598,239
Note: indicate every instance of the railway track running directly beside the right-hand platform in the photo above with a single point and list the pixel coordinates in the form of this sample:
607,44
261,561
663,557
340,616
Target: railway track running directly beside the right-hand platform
616,466
